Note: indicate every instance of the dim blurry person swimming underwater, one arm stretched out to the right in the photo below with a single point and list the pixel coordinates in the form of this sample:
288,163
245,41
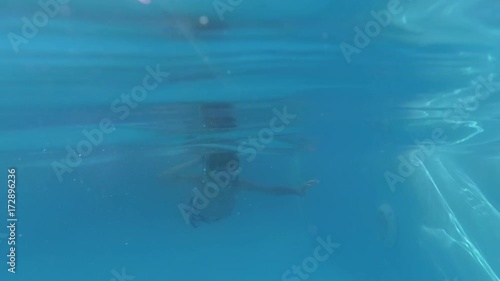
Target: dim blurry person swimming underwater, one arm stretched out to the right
220,185
